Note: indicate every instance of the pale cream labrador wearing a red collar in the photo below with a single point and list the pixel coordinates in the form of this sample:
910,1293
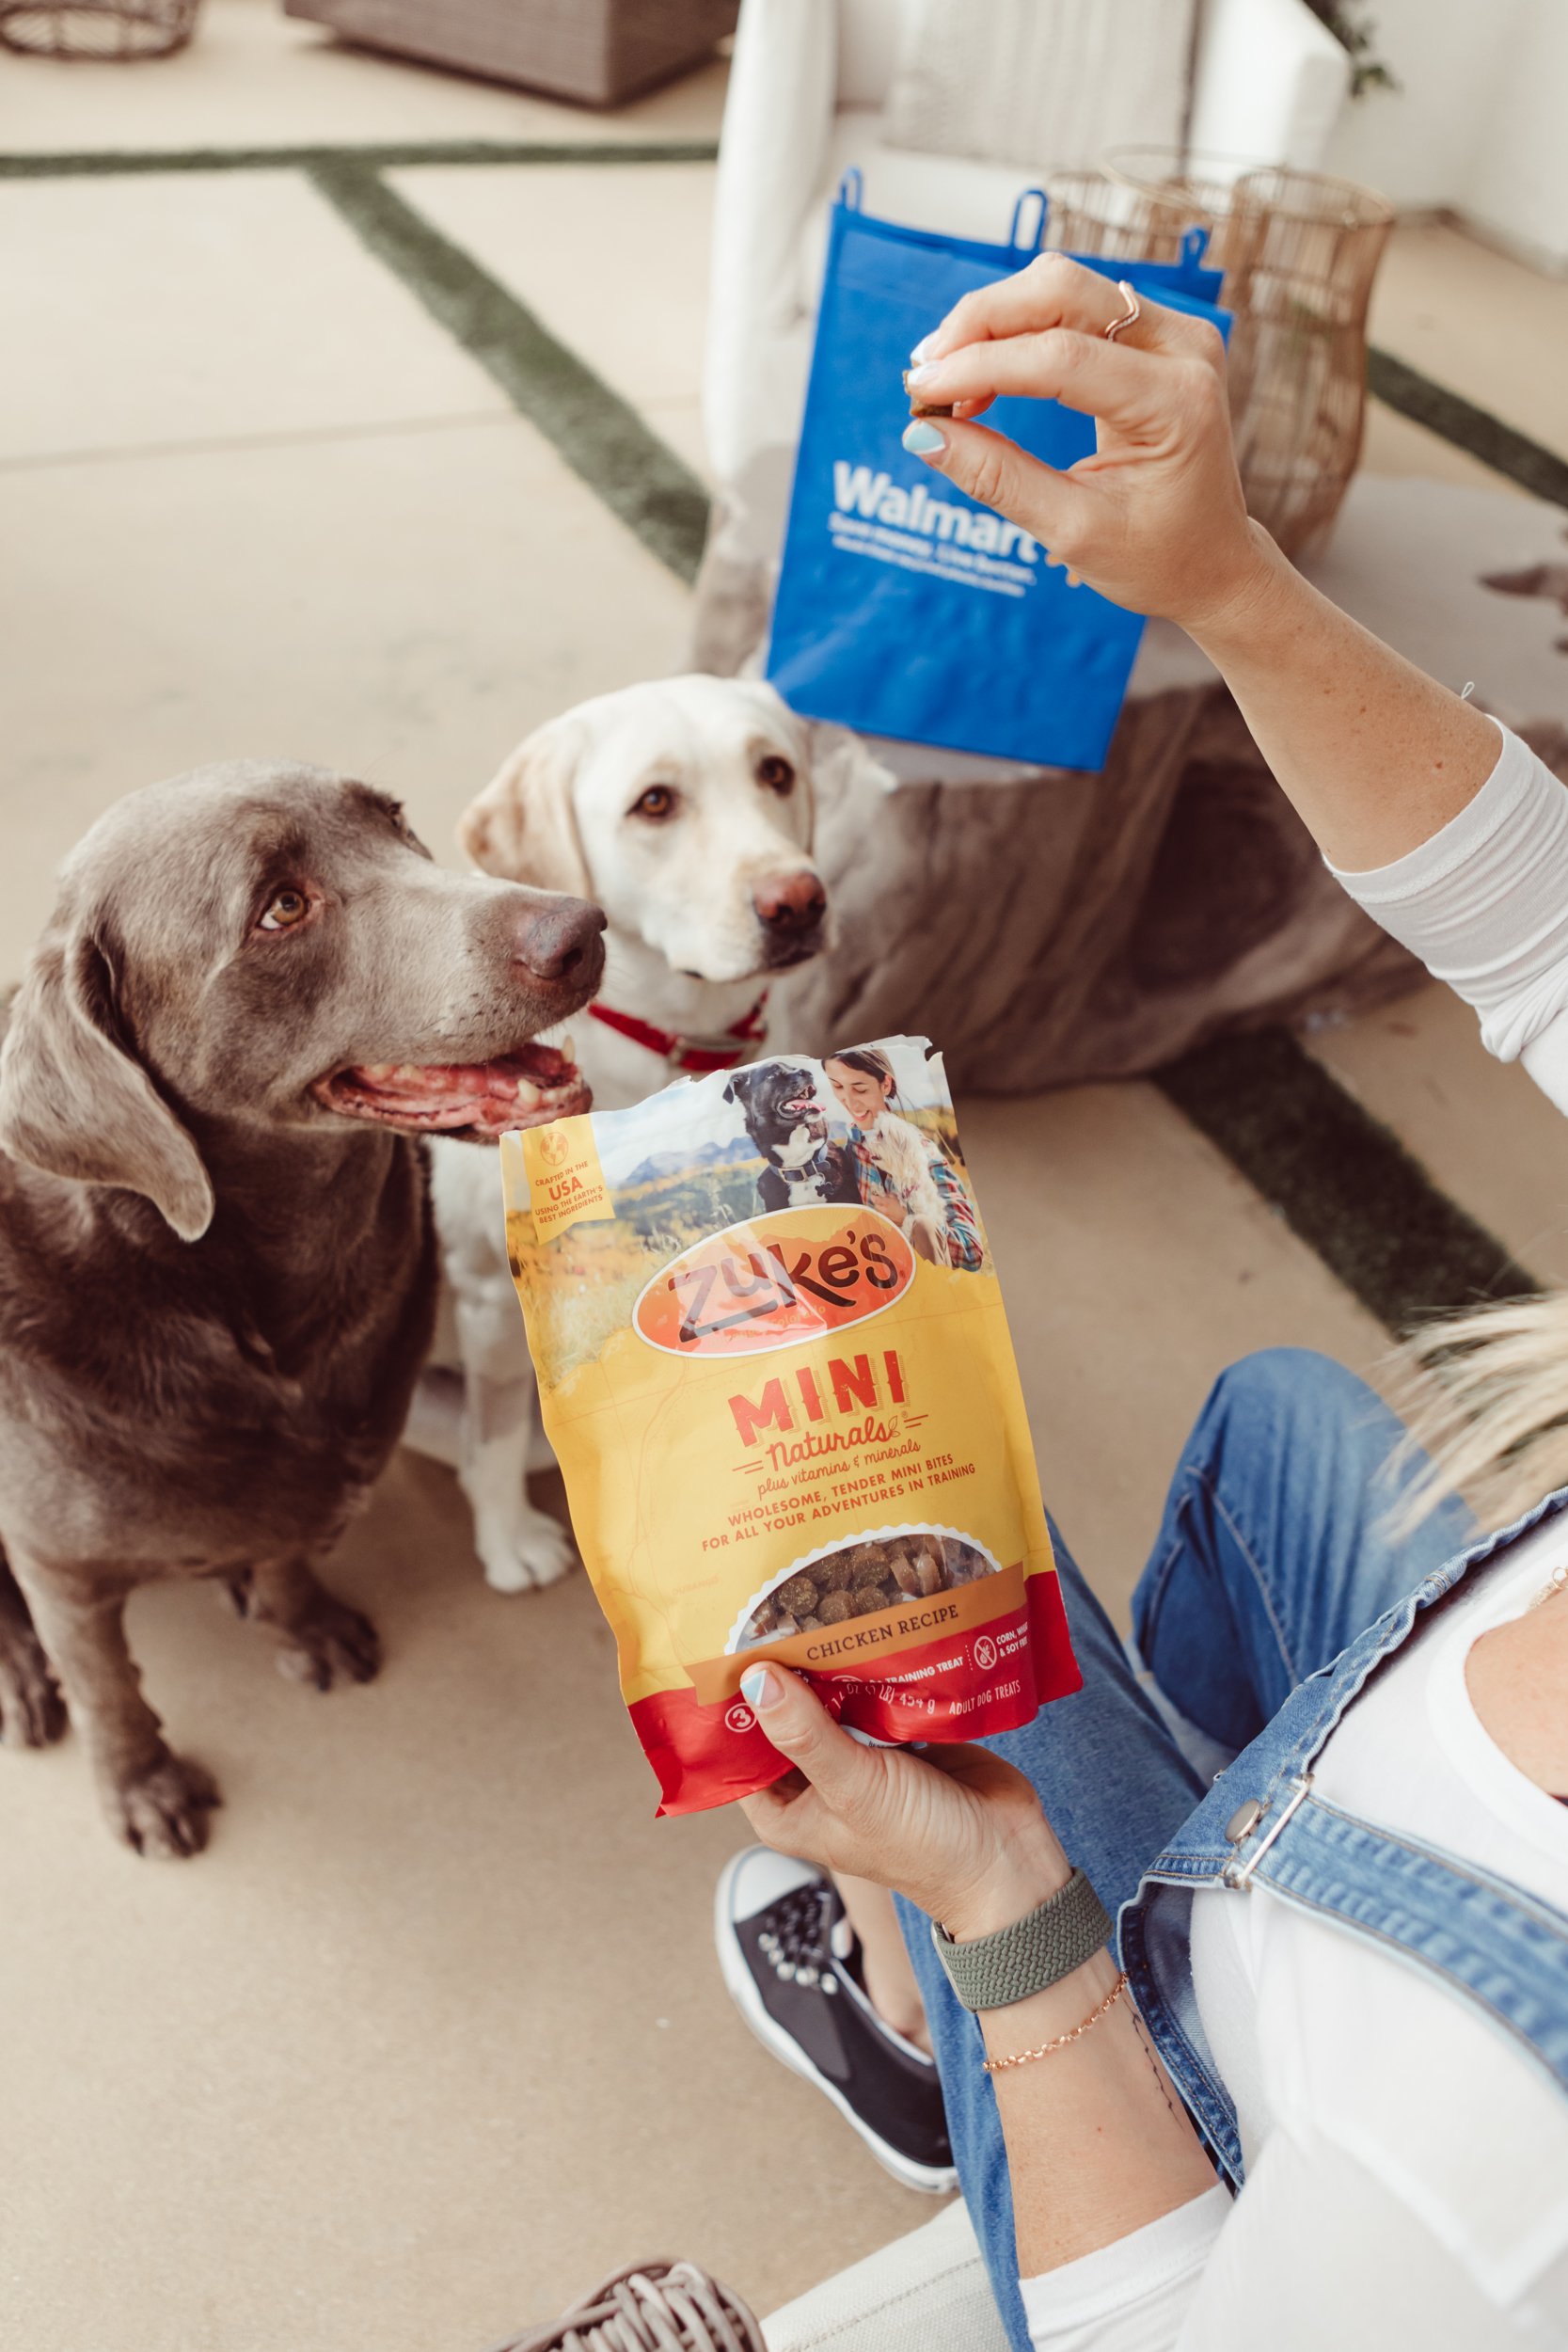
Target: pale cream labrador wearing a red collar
685,810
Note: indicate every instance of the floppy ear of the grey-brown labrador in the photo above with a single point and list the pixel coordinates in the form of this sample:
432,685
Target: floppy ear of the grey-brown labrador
76,1104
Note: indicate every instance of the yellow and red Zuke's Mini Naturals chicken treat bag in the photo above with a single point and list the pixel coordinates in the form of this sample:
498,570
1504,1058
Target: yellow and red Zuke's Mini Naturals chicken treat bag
777,1372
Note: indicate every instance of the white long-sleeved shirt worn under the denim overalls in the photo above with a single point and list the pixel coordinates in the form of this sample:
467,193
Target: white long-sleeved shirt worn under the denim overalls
1407,2167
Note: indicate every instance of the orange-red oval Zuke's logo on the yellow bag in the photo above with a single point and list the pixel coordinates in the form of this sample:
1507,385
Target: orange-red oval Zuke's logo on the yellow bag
775,1283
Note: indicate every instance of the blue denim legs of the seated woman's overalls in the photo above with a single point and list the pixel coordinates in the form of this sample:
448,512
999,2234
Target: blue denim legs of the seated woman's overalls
1271,1558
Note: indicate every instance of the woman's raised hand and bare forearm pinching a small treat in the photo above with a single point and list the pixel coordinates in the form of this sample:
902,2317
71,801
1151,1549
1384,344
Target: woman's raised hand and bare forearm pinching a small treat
1372,751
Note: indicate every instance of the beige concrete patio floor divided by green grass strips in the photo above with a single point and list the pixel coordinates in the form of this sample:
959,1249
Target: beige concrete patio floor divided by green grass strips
434,2033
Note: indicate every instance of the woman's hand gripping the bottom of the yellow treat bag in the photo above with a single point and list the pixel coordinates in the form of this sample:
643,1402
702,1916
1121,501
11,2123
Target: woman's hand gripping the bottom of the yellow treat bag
953,1829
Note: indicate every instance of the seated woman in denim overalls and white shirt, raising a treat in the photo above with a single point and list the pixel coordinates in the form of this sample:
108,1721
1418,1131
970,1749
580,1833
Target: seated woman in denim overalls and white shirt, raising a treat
1351,1958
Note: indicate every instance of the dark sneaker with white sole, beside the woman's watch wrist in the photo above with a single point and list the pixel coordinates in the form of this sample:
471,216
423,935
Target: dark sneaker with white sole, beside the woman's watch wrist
791,1965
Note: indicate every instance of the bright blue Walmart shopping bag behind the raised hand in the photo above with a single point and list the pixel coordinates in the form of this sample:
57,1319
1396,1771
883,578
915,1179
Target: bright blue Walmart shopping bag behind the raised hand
906,608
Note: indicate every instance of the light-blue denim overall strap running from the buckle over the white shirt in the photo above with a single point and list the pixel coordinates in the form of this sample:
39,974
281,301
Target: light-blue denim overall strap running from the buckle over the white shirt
1489,1942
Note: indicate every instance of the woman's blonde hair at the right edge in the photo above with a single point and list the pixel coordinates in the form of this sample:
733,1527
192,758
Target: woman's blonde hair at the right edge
1487,1398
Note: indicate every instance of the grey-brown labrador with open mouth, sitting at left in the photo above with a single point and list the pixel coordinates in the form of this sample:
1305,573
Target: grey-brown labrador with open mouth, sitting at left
217,1267
